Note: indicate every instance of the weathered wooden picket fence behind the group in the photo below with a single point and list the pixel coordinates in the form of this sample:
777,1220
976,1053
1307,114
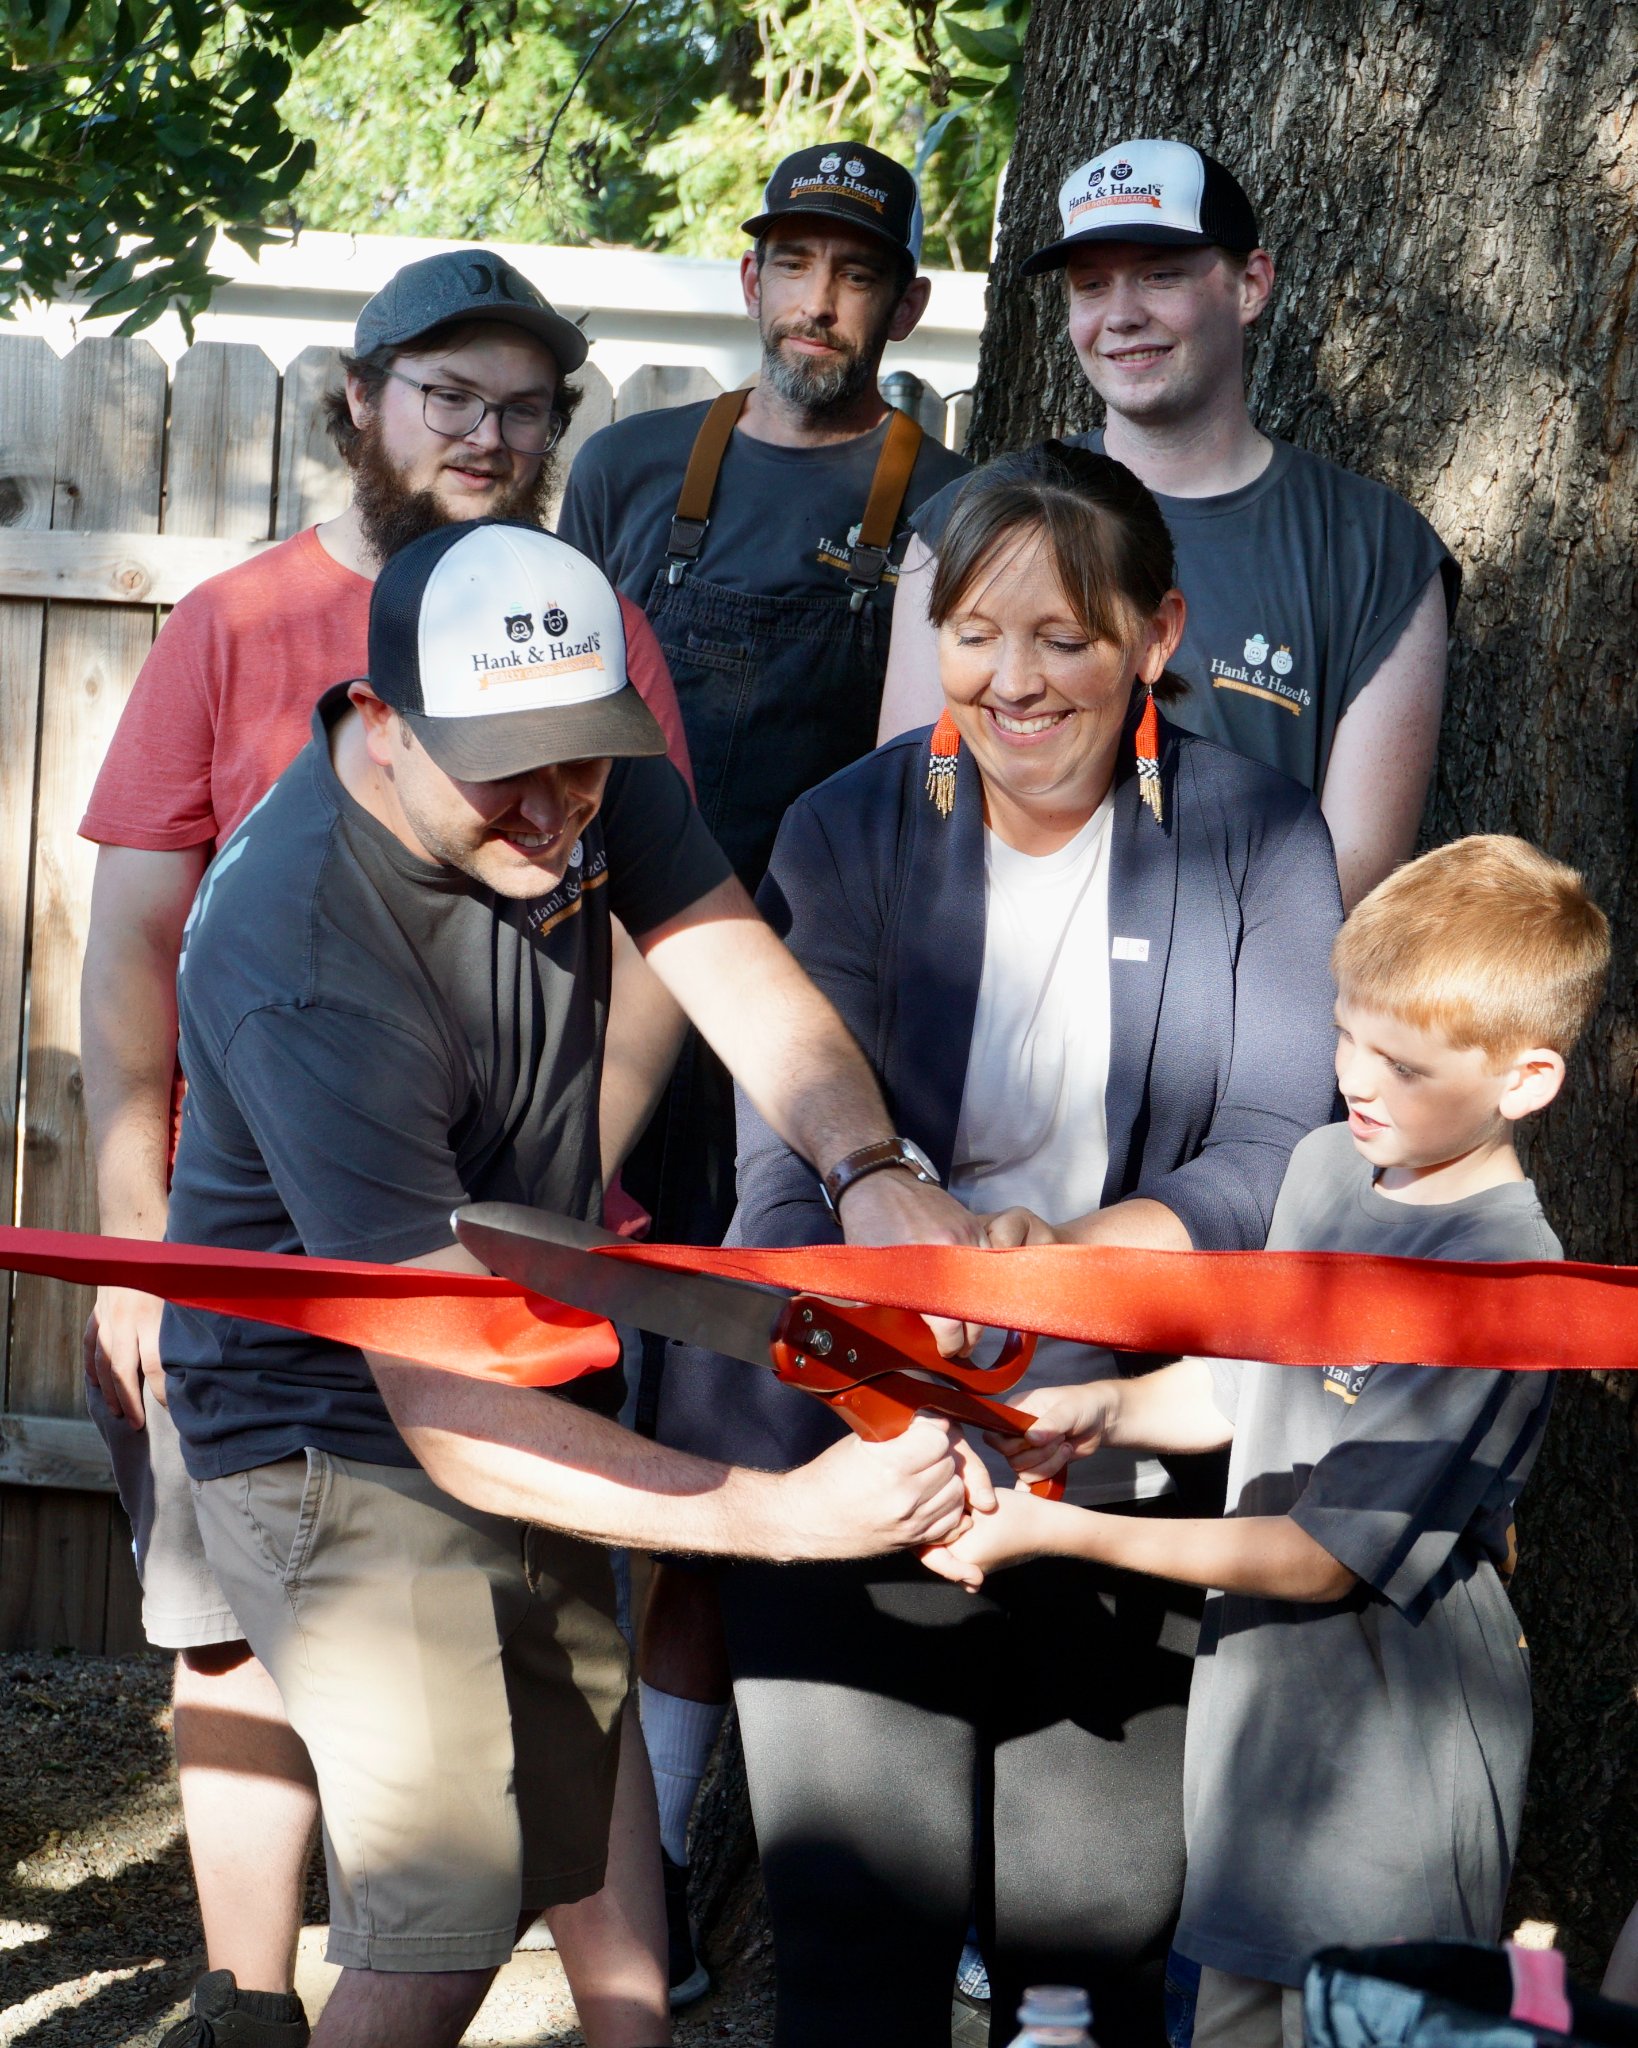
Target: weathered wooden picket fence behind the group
120,490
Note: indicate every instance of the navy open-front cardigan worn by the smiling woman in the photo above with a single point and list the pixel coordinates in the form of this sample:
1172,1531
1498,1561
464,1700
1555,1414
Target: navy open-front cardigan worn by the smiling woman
1221,1037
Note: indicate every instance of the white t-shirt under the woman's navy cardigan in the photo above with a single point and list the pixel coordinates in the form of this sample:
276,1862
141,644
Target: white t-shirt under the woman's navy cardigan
1033,1127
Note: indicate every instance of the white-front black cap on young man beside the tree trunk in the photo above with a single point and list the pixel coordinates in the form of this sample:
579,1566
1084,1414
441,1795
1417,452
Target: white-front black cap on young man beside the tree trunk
1150,191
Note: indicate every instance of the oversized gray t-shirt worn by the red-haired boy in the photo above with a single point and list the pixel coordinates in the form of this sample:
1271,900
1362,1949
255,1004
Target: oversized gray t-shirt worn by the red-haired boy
1356,1770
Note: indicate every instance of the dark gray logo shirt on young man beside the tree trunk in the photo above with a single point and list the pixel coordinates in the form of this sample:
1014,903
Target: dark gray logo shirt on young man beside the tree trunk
1299,589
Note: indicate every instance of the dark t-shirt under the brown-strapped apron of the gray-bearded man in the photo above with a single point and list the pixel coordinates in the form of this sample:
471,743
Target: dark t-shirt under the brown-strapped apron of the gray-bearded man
779,521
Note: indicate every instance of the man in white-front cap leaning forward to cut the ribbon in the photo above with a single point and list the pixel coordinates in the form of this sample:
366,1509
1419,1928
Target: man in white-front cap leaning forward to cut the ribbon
392,1005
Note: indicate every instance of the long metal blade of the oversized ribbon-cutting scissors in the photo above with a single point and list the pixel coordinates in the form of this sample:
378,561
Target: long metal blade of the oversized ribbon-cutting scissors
554,1256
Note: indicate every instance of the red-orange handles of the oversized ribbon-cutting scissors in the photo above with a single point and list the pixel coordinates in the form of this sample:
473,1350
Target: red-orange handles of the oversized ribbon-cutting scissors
840,1359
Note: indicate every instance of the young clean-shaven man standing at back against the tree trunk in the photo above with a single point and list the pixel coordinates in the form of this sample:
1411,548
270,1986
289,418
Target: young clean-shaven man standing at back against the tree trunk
1320,601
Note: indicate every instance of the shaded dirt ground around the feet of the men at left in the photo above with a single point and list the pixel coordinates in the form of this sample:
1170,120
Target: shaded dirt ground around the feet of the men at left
99,1928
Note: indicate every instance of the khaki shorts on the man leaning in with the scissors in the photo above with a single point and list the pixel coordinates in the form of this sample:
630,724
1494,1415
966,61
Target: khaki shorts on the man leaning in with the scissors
458,1680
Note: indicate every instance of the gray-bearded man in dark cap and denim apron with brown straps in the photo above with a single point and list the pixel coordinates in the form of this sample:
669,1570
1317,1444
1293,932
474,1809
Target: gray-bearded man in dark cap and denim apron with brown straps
763,538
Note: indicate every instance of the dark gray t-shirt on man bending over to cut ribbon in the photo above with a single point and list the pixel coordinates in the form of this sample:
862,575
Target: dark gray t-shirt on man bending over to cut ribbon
372,1041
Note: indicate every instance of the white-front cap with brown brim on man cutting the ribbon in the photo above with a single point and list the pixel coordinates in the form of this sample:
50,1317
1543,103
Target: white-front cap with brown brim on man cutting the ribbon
505,650
